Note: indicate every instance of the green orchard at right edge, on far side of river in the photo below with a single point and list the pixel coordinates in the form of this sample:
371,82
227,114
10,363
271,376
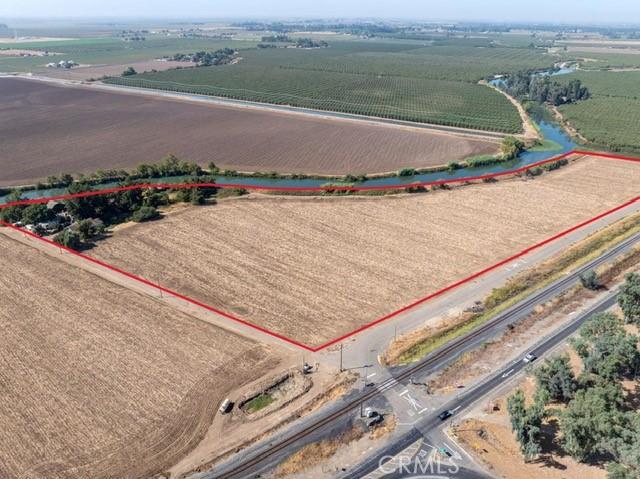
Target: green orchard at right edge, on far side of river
609,118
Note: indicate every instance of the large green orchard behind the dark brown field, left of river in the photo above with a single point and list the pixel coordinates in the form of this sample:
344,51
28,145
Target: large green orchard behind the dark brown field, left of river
423,81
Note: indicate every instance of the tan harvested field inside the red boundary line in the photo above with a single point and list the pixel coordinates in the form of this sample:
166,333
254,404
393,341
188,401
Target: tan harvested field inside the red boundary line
316,268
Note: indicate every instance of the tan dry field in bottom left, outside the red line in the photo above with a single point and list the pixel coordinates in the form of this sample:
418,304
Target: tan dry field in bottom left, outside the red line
100,382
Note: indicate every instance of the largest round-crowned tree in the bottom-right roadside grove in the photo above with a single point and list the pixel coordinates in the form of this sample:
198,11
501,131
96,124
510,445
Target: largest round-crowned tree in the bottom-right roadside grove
591,419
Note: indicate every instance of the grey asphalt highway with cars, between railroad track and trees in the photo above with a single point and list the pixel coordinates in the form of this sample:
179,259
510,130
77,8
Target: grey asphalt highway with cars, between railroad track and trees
431,422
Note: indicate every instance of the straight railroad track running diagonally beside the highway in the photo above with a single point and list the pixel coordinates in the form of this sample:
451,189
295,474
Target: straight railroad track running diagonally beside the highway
451,349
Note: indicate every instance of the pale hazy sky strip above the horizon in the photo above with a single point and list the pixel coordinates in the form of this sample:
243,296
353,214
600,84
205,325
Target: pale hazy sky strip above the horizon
558,11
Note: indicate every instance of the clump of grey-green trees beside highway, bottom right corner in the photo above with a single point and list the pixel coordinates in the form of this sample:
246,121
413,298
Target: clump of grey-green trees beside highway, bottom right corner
597,420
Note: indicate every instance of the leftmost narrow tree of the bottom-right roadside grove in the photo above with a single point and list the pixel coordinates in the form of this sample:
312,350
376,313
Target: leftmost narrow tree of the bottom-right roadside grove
526,422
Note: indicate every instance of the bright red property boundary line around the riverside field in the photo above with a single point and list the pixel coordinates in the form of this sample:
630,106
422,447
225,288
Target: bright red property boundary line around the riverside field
322,188
